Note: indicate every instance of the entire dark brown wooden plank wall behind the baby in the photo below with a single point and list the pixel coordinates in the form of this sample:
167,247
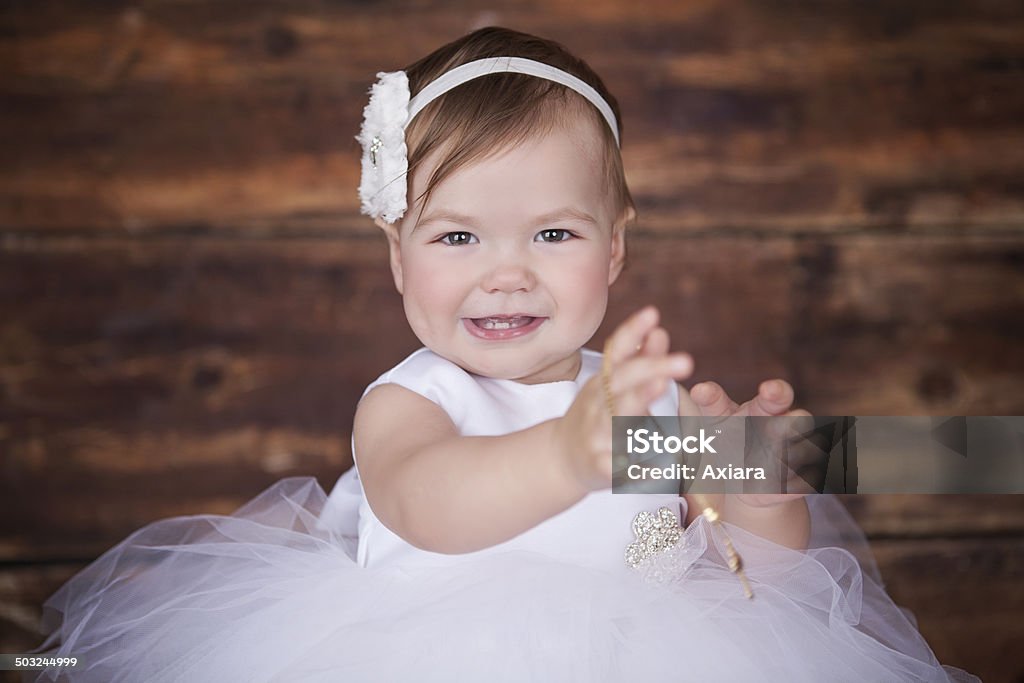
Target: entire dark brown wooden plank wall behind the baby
191,304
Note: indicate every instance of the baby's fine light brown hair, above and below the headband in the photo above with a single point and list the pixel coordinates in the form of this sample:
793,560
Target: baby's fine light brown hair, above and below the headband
502,110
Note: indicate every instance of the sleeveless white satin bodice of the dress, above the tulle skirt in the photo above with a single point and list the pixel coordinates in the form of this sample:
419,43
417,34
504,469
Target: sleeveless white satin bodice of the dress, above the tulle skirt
593,533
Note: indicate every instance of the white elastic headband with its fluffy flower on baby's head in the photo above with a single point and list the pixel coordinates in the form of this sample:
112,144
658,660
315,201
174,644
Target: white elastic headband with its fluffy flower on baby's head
386,161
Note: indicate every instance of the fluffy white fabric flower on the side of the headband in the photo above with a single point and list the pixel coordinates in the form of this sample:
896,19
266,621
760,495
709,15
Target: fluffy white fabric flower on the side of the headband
386,157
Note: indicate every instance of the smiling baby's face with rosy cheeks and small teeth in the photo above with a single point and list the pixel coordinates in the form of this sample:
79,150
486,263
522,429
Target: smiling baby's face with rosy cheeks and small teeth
507,274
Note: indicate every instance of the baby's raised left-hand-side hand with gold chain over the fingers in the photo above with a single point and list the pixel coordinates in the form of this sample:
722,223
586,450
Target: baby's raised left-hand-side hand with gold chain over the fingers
639,368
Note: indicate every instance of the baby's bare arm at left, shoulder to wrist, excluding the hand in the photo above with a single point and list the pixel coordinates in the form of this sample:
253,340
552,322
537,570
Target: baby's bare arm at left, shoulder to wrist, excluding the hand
452,494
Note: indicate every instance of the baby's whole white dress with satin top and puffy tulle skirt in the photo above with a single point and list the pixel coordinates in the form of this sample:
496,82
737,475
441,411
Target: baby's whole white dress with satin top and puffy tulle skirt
297,586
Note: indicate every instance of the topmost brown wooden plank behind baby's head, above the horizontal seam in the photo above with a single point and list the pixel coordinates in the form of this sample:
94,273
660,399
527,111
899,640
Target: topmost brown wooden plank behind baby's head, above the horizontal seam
241,116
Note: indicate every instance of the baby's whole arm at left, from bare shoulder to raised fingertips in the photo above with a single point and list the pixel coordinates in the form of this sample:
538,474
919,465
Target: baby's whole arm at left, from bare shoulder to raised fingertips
452,494
